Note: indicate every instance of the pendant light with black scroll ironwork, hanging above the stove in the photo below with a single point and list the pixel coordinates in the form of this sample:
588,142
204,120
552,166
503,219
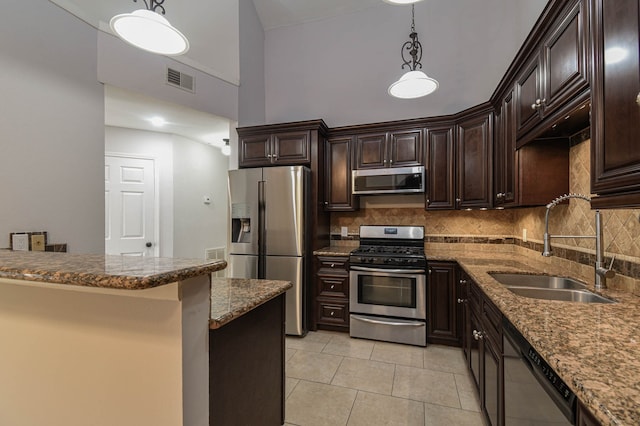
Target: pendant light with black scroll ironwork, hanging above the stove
414,83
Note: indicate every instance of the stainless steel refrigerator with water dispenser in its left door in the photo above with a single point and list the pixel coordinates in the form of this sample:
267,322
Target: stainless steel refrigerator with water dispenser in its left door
268,220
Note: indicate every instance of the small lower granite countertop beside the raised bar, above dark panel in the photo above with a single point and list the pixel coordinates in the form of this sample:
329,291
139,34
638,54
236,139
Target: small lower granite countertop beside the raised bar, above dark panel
233,297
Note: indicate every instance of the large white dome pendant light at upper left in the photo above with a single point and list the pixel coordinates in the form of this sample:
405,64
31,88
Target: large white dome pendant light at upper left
150,31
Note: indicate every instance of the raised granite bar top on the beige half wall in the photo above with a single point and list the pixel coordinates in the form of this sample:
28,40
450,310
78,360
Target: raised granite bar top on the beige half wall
118,272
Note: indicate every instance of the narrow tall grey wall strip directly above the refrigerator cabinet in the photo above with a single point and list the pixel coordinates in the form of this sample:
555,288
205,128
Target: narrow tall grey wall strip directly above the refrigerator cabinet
251,93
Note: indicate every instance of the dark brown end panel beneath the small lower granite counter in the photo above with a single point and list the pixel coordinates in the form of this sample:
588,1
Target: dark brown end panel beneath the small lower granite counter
246,368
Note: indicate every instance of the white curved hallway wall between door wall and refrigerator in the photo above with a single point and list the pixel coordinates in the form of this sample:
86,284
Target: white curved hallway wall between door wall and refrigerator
198,170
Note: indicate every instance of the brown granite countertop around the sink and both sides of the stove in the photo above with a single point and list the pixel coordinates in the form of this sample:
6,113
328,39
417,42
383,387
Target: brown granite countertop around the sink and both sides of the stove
594,348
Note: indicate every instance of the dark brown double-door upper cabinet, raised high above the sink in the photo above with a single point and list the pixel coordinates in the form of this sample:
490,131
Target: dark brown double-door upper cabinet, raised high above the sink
556,77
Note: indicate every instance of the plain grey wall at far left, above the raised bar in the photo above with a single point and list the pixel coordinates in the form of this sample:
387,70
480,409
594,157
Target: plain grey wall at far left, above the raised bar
51,127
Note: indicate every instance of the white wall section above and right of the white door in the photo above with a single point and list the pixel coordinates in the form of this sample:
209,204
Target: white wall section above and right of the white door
158,146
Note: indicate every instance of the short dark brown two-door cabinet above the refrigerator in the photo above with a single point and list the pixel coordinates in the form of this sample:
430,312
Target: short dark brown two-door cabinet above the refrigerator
286,148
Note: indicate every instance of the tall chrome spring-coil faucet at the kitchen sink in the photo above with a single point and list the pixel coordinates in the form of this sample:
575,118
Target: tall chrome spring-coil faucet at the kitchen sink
601,271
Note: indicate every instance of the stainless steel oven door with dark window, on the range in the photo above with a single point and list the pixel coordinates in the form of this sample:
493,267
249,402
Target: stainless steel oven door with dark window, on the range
399,293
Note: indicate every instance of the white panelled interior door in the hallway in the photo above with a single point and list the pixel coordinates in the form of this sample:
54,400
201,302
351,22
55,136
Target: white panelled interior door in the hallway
129,206
